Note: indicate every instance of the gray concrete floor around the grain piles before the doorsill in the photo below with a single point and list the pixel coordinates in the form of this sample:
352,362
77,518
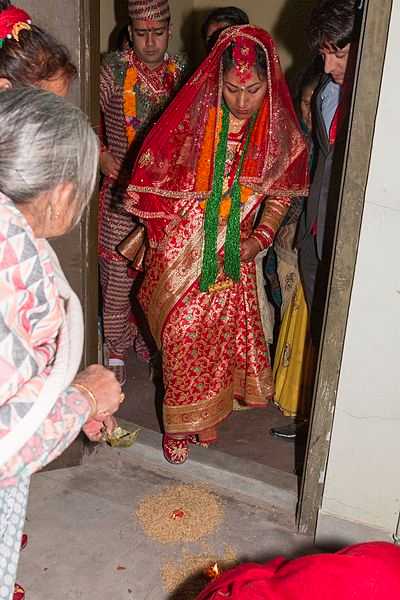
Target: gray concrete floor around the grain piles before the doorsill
86,543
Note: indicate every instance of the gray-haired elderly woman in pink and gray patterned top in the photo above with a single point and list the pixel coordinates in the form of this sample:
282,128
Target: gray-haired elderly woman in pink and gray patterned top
43,402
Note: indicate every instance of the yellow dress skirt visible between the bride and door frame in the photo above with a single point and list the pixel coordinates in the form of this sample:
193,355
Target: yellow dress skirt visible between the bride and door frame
293,360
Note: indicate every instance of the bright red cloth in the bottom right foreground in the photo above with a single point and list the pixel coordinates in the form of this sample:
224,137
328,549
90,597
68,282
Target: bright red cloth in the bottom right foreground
363,572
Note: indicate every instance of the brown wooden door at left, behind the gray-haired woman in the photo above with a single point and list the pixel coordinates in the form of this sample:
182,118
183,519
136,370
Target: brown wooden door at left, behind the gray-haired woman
79,30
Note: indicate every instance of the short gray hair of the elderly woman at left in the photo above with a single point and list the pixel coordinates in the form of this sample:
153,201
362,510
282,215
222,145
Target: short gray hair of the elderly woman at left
45,141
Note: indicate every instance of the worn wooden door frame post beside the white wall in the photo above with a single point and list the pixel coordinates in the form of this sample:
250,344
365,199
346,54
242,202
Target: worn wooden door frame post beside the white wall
352,188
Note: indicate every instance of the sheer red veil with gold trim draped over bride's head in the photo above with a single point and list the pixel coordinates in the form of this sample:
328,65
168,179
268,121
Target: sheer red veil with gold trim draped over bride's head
176,160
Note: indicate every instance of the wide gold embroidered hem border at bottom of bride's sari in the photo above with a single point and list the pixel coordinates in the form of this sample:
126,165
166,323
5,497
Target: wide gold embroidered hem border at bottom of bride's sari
195,418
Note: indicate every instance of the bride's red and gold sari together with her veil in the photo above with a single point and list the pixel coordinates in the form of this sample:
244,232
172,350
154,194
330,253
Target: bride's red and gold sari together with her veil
214,346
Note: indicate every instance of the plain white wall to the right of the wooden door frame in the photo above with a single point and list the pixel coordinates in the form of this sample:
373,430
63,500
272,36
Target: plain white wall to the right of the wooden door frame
363,475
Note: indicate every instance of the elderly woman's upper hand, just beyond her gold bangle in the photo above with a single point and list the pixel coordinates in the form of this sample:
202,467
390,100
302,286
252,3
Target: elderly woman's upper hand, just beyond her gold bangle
102,383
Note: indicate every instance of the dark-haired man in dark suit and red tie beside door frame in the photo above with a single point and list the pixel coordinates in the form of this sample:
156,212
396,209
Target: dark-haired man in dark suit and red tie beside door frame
333,33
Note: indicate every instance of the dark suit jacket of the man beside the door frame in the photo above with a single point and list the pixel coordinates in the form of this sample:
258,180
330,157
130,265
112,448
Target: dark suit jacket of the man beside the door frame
316,205
